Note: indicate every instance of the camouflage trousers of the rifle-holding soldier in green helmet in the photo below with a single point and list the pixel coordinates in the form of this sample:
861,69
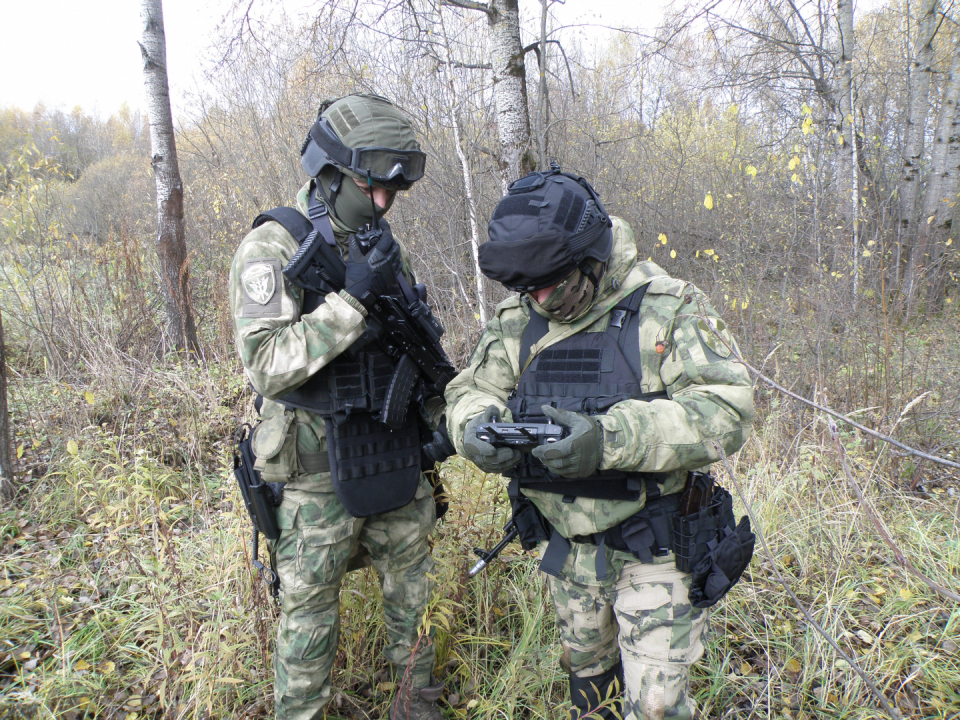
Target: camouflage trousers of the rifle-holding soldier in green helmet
318,540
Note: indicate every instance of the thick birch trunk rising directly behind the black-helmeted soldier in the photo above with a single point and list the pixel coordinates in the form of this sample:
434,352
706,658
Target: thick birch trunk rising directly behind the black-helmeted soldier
509,90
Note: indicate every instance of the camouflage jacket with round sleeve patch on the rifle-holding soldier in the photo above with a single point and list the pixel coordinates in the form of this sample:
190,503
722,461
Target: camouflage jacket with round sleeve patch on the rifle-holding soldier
281,348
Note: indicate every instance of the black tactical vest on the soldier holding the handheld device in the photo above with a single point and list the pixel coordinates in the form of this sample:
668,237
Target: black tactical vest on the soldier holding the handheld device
588,372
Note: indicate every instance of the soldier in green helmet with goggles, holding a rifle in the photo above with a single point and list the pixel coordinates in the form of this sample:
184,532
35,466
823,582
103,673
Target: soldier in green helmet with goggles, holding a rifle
353,486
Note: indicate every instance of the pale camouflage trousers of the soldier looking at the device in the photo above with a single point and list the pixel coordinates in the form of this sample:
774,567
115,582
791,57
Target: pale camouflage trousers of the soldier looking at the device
641,615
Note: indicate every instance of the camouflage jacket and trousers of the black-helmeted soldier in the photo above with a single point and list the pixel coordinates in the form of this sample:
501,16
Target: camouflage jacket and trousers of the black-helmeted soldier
709,398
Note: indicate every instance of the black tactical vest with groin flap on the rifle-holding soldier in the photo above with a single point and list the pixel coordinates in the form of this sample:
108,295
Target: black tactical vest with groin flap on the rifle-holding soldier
375,468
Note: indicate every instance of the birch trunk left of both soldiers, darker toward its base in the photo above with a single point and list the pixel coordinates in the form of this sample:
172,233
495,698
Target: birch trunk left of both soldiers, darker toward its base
171,248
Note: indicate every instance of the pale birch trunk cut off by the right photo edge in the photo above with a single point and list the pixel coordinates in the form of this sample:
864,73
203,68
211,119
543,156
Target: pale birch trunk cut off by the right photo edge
943,184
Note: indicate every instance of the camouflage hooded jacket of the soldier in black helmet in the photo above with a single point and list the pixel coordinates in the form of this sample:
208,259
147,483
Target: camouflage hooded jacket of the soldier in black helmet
710,397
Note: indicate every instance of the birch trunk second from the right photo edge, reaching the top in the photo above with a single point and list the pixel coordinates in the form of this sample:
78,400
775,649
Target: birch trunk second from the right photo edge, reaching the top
919,83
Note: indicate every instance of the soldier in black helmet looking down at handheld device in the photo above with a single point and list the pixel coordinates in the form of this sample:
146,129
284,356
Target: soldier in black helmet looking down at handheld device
643,386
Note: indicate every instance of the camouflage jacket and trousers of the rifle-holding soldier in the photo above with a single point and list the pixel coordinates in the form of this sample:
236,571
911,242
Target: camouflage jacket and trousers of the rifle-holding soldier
320,541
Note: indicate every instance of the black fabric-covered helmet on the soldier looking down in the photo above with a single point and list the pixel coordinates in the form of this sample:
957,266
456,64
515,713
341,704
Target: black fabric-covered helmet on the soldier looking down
543,229
